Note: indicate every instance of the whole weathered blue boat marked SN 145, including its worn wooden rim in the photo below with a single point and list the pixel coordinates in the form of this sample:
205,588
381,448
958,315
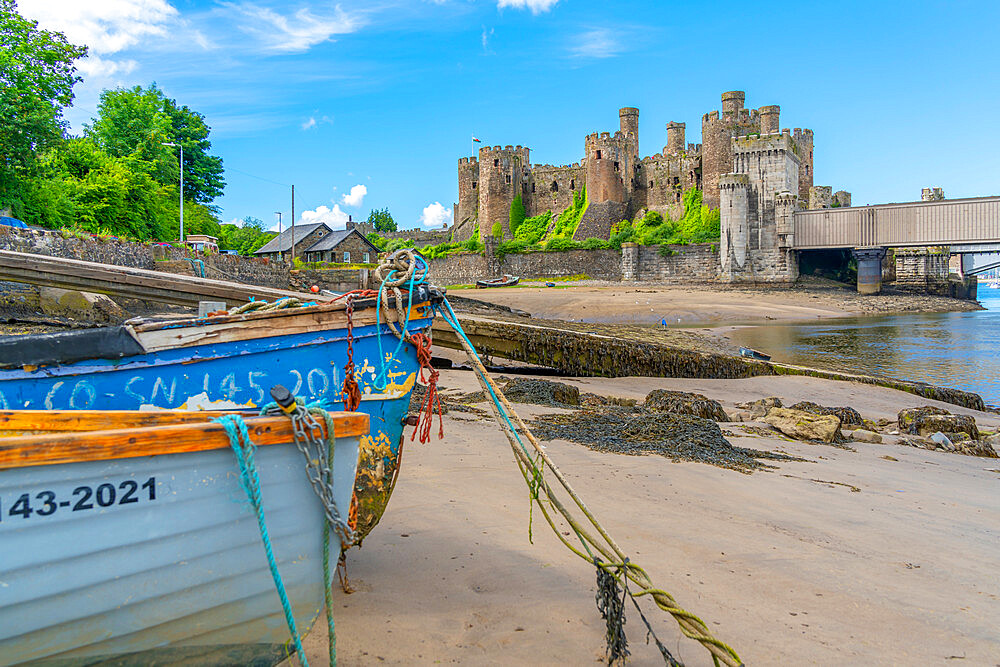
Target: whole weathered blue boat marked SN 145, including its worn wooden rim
231,362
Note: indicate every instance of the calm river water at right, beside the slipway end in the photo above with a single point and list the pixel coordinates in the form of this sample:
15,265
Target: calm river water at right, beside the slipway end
951,349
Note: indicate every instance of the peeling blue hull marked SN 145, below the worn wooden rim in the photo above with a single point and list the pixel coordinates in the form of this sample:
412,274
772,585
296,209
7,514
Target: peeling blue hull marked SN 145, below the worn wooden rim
239,375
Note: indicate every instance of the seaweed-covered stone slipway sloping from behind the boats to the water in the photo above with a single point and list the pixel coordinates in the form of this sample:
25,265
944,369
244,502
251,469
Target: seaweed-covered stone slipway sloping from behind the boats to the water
598,352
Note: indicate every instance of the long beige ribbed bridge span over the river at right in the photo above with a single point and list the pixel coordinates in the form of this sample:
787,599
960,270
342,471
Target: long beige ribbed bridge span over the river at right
923,223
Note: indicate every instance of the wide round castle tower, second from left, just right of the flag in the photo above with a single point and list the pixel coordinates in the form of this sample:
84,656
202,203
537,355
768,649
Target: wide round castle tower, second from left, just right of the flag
502,173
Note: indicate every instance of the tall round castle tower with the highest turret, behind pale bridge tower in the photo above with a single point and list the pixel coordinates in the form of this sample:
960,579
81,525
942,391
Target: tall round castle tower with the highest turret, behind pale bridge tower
717,133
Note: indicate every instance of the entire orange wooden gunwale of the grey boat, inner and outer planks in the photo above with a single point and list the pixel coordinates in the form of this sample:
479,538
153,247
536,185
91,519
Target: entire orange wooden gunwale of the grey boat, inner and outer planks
130,438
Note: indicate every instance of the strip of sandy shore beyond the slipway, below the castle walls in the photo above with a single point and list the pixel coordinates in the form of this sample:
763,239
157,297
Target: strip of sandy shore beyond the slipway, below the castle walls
704,304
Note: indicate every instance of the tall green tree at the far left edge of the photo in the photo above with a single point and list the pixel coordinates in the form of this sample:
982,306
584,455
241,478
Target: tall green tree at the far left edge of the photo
37,75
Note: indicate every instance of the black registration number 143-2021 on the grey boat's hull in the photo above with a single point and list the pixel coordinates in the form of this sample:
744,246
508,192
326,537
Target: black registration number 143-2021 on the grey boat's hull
82,498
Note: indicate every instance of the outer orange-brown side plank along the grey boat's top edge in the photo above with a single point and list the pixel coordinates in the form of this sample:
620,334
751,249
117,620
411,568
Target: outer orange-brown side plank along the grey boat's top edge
60,448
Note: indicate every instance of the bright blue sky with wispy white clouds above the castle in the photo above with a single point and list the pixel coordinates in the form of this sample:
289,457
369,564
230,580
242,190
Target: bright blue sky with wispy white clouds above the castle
369,104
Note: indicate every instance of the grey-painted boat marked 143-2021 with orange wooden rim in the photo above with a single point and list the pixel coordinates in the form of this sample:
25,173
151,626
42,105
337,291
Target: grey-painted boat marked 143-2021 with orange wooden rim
128,540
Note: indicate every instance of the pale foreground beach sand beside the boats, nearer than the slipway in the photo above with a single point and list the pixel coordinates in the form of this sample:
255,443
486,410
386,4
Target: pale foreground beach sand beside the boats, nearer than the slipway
785,565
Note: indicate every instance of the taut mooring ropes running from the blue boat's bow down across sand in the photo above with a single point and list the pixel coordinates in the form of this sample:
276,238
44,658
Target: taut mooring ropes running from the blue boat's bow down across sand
599,549
